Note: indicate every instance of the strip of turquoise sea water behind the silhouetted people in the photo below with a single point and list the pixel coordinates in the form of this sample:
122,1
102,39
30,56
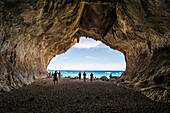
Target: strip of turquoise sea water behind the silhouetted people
96,74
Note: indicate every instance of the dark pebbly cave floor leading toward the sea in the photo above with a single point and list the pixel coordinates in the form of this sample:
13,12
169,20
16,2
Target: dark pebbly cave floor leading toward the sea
77,96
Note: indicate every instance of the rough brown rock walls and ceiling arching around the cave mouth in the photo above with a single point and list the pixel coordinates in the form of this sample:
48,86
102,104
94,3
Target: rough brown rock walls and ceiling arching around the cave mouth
32,32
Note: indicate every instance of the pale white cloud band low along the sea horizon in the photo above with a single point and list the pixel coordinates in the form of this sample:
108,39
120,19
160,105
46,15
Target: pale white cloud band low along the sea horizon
88,67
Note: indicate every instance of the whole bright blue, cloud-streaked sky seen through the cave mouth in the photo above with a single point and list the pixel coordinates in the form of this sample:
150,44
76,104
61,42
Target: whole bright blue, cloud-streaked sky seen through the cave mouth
89,54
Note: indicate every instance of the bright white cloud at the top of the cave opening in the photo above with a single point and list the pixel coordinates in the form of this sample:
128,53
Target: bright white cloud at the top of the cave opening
89,43
